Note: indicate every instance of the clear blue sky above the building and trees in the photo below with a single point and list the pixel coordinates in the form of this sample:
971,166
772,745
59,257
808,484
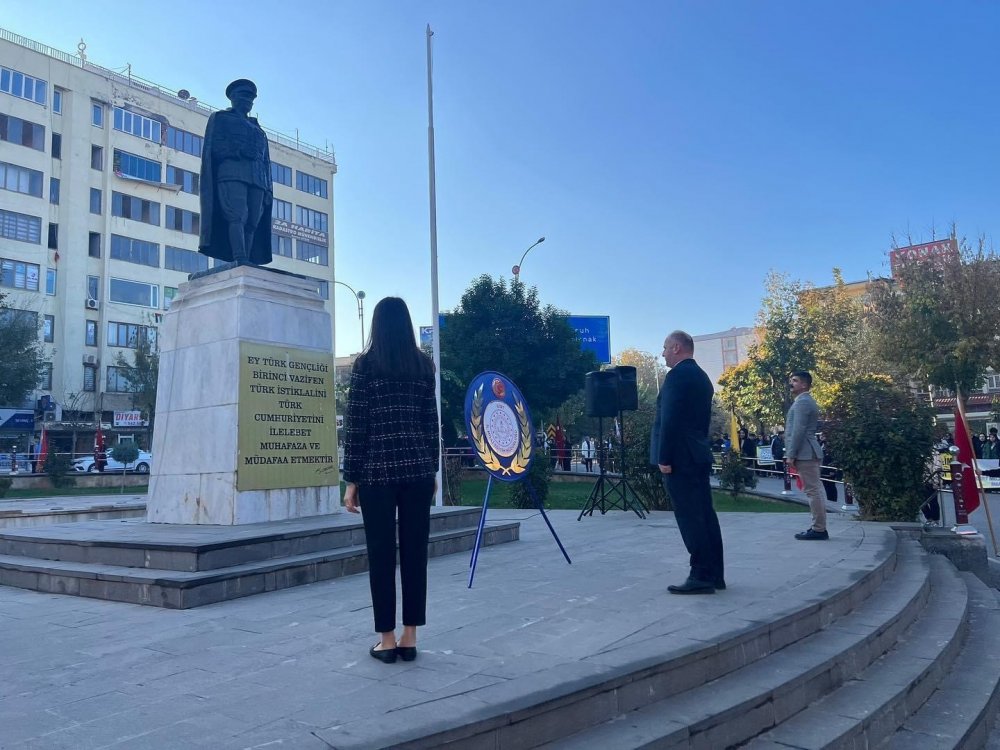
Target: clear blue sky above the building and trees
670,152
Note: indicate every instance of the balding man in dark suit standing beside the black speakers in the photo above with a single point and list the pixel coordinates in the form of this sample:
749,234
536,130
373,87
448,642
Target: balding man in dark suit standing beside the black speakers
679,446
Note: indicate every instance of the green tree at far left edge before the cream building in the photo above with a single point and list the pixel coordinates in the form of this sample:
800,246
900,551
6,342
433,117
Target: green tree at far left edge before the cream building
22,362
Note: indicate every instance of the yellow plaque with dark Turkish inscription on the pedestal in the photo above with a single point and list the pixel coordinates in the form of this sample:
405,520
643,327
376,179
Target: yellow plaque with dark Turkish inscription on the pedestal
287,423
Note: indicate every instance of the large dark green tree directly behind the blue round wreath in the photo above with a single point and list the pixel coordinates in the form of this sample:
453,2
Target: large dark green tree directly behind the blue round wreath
505,328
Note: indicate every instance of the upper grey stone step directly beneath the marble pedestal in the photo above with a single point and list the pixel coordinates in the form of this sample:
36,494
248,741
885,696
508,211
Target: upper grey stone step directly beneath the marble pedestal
194,548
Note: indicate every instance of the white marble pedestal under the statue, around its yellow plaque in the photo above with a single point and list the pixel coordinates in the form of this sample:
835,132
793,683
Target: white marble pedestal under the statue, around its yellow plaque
196,445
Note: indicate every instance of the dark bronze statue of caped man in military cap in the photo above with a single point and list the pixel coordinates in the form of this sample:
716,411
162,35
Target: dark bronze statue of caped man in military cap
236,189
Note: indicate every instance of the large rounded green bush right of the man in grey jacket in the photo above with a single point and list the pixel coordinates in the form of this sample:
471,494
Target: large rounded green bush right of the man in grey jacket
882,439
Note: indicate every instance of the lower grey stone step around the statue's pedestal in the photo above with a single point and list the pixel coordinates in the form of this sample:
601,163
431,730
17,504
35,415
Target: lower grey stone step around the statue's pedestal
178,589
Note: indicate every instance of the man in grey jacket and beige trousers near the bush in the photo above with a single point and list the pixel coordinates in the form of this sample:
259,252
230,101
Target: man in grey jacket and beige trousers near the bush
803,452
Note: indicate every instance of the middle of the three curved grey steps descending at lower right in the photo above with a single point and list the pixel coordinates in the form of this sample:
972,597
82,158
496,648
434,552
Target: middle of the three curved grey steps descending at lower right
868,710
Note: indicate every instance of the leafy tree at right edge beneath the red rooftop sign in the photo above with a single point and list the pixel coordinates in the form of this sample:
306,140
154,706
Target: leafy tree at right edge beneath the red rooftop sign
939,322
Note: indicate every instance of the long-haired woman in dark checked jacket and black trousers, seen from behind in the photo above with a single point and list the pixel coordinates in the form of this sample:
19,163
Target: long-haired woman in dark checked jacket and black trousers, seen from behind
391,455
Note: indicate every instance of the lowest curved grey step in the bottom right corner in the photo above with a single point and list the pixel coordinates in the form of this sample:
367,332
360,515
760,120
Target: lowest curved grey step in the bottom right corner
961,711
